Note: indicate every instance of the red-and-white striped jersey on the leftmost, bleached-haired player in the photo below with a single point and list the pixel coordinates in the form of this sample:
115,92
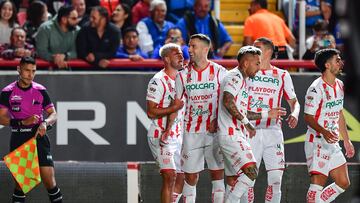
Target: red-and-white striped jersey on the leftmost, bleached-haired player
161,90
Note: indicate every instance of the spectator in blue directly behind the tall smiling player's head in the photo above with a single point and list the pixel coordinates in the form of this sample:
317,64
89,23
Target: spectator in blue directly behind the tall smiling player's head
201,21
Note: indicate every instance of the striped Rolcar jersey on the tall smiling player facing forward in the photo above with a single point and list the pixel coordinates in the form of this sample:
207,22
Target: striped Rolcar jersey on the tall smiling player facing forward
201,91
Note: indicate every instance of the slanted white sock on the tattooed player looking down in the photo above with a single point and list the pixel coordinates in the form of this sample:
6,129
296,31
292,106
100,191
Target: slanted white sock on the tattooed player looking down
241,186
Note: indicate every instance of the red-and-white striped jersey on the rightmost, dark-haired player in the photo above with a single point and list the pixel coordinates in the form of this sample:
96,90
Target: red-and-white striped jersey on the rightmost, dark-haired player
325,102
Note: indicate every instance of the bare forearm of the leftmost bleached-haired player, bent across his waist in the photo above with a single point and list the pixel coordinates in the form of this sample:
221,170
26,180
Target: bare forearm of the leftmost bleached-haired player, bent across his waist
154,112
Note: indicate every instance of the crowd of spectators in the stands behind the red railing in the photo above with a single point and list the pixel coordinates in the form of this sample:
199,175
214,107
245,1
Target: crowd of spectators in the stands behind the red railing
99,30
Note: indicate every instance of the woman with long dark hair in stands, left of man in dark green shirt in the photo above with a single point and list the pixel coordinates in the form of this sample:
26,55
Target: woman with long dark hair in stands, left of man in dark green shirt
36,14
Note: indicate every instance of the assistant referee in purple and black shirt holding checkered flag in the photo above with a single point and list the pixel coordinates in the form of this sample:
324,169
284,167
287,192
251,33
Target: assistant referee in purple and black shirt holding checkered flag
22,104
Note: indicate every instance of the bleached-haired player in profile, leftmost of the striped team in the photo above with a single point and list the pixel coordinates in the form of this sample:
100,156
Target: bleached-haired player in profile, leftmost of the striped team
164,138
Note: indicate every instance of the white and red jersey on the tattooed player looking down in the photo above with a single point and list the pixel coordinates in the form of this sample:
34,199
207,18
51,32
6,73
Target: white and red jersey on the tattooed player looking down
235,84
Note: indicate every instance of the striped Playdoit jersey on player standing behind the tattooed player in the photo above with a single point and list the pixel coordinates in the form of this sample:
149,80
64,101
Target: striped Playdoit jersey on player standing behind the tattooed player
266,90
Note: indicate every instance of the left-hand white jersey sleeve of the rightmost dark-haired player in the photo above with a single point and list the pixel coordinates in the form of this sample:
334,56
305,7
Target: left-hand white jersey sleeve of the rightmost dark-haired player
312,100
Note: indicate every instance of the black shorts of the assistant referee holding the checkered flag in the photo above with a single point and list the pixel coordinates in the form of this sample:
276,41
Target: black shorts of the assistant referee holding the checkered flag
21,135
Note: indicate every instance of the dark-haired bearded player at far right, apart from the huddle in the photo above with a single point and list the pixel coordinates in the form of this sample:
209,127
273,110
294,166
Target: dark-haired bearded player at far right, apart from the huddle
326,122
